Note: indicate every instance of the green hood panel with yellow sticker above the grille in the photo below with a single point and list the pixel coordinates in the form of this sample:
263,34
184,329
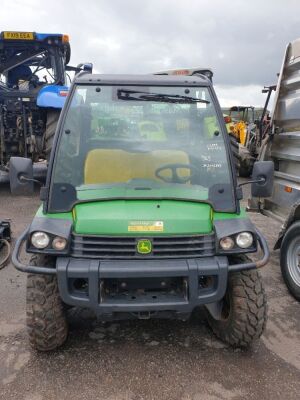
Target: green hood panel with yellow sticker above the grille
134,217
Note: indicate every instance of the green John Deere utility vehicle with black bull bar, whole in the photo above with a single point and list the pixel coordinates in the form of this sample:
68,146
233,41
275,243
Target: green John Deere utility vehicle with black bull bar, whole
141,215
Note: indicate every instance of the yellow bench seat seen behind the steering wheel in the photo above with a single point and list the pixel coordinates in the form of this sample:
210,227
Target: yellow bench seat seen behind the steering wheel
115,166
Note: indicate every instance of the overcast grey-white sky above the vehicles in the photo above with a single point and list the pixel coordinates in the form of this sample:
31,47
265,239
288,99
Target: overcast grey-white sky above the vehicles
242,41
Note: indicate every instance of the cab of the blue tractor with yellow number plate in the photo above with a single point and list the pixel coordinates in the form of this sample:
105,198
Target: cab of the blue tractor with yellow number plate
29,60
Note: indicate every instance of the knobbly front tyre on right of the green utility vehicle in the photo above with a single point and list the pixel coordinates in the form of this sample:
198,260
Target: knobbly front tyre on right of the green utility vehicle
244,311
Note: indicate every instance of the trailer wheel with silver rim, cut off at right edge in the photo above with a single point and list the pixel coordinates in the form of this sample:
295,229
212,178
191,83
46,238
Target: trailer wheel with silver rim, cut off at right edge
290,259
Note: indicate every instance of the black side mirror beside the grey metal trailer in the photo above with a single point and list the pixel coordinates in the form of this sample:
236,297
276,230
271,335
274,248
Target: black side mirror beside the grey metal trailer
263,174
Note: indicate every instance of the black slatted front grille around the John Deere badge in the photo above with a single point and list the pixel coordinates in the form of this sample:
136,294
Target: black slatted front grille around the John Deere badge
120,247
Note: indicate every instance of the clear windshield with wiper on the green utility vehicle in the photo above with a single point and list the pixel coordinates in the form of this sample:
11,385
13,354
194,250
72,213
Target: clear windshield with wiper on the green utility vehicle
142,142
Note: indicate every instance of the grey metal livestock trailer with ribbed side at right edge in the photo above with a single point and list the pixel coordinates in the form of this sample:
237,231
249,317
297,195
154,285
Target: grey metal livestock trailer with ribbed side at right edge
282,145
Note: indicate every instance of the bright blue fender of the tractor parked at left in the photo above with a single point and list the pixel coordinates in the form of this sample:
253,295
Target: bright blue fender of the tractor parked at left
52,96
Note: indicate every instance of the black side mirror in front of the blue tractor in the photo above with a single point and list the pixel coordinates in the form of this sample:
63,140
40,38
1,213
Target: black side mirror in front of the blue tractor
20,175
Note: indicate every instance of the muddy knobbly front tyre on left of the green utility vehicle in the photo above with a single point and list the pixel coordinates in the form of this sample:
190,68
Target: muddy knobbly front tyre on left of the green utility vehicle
45,312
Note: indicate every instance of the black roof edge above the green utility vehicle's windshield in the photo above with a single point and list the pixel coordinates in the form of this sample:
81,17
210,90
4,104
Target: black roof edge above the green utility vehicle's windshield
159,80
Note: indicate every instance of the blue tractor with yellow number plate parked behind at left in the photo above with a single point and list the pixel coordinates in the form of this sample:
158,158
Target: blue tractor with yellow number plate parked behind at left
33,88
